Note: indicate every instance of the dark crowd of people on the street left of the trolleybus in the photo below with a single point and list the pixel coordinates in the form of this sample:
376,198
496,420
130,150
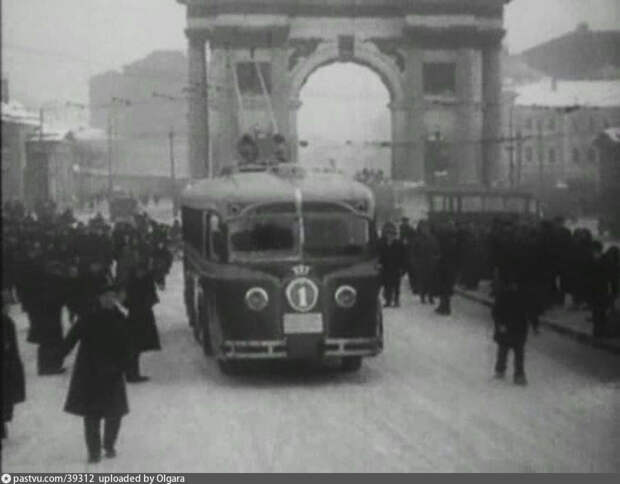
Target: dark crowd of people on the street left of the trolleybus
107,277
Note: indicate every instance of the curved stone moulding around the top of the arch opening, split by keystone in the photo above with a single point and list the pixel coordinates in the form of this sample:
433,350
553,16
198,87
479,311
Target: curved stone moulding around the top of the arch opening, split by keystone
364,54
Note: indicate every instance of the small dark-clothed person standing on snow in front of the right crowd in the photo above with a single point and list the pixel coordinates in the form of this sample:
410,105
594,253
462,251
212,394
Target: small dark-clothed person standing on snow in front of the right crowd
511,327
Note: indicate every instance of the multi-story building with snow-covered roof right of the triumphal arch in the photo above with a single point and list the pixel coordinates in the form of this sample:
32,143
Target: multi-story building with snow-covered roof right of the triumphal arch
550,132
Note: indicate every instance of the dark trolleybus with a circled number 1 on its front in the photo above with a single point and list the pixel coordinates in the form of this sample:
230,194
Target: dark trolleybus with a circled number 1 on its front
282,264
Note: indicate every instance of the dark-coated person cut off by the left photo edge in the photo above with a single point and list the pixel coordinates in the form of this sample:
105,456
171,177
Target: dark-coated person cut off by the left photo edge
13,381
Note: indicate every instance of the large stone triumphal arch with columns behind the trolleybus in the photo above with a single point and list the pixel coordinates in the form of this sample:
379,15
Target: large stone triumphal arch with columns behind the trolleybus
439,59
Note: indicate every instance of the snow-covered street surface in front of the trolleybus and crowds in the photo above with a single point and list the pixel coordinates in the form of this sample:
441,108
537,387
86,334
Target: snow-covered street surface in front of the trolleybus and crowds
426,404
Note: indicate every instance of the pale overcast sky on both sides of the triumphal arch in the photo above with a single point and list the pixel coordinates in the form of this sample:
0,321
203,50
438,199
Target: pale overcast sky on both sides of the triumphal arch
51,47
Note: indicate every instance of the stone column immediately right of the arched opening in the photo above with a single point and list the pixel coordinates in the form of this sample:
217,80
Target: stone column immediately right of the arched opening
408,131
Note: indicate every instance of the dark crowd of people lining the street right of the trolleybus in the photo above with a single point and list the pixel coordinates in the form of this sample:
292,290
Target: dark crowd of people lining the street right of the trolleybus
533,267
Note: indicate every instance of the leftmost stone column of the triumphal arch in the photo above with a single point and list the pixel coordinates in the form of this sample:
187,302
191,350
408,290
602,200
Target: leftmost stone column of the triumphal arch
198,108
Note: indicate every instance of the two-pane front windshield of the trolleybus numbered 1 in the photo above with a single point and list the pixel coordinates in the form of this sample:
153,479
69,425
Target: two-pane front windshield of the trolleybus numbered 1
276,236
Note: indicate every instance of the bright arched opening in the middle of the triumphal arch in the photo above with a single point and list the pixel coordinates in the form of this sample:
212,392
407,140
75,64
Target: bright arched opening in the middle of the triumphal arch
344,119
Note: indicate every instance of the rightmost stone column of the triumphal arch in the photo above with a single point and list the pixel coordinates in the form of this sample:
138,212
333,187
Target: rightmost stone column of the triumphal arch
491,99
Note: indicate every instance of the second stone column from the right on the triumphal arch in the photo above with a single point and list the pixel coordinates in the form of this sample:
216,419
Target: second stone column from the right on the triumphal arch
466,148
